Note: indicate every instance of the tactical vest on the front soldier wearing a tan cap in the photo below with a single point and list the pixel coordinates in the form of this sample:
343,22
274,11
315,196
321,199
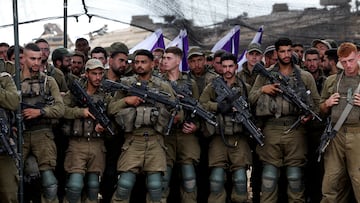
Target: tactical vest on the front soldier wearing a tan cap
85,127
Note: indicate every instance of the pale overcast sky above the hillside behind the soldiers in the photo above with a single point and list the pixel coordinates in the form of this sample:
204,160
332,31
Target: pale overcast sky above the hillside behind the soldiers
204,12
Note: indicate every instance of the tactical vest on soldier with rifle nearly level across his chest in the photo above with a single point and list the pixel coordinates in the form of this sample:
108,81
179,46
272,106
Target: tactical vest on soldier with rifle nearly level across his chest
145,115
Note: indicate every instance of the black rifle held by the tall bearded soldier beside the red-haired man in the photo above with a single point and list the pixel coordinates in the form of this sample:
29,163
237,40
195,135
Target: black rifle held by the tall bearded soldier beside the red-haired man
288,93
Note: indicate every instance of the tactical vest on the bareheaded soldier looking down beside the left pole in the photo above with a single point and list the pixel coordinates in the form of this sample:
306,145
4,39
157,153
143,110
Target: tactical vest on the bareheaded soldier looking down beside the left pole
35,92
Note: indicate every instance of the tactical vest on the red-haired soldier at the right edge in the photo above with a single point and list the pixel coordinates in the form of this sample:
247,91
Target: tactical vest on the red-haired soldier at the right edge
346,86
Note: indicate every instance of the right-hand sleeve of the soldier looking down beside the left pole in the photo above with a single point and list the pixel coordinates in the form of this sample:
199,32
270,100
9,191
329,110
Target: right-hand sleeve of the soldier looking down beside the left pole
57,109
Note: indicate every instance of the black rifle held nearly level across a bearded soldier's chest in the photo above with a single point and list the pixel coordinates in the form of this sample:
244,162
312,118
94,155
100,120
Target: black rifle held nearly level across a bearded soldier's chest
142,91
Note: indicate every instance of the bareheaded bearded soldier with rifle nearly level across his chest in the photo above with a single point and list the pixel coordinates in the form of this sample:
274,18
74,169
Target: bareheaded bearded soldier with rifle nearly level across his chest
144,125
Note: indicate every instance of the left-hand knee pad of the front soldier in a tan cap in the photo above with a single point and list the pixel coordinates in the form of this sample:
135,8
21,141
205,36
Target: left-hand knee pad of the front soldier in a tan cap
74,187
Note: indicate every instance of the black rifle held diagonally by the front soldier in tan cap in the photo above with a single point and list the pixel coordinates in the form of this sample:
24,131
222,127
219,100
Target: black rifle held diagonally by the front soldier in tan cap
96,109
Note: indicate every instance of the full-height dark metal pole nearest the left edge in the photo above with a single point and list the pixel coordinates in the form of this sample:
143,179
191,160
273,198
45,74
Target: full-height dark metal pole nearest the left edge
18,112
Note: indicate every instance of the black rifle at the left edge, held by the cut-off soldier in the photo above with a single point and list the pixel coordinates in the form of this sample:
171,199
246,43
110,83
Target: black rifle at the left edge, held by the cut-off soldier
7,146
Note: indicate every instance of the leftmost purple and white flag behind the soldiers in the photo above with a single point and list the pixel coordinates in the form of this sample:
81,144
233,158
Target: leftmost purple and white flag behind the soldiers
155,40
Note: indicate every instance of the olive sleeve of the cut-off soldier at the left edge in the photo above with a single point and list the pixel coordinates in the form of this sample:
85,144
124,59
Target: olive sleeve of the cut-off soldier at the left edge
9,98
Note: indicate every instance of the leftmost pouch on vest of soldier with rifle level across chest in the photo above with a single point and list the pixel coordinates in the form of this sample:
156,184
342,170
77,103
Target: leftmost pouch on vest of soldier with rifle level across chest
126,118
